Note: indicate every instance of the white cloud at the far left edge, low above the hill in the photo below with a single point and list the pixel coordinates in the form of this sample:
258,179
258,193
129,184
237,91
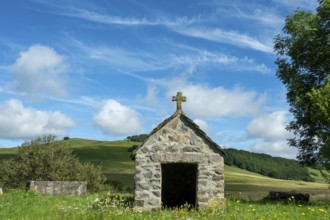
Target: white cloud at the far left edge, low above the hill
17,121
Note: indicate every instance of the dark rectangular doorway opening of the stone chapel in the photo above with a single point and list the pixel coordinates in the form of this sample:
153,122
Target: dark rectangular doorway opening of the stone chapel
179,184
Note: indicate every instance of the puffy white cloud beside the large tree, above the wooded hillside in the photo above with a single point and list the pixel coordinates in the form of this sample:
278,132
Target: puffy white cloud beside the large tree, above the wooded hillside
269,127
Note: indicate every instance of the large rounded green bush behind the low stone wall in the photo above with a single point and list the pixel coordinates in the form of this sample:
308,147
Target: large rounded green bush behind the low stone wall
48,159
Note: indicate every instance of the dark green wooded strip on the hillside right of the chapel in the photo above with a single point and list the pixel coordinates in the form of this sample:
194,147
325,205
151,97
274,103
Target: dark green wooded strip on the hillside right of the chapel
275,167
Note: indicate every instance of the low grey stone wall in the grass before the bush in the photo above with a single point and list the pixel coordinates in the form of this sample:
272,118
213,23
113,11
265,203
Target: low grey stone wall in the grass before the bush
75,188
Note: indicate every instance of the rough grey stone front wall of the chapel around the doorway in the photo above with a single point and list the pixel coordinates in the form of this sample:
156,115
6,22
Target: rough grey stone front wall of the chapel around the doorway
176,142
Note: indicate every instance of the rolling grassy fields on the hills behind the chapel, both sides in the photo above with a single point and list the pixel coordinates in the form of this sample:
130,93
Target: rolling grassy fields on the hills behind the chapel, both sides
115,160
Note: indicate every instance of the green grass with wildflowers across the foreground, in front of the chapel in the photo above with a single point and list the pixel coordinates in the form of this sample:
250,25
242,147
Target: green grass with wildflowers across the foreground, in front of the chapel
29,205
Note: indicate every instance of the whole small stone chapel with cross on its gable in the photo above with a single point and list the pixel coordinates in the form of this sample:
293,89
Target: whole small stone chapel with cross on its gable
178,164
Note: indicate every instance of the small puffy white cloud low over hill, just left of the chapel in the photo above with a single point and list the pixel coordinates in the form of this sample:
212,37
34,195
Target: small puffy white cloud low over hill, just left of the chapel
117,119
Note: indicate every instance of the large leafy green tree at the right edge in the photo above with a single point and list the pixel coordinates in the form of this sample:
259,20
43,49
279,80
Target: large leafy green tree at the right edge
304,68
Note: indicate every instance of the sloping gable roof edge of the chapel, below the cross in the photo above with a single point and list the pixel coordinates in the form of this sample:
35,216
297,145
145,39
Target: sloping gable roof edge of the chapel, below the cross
191,124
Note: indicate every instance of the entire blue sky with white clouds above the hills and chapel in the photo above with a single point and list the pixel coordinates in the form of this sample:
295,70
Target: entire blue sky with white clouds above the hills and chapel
106,70
